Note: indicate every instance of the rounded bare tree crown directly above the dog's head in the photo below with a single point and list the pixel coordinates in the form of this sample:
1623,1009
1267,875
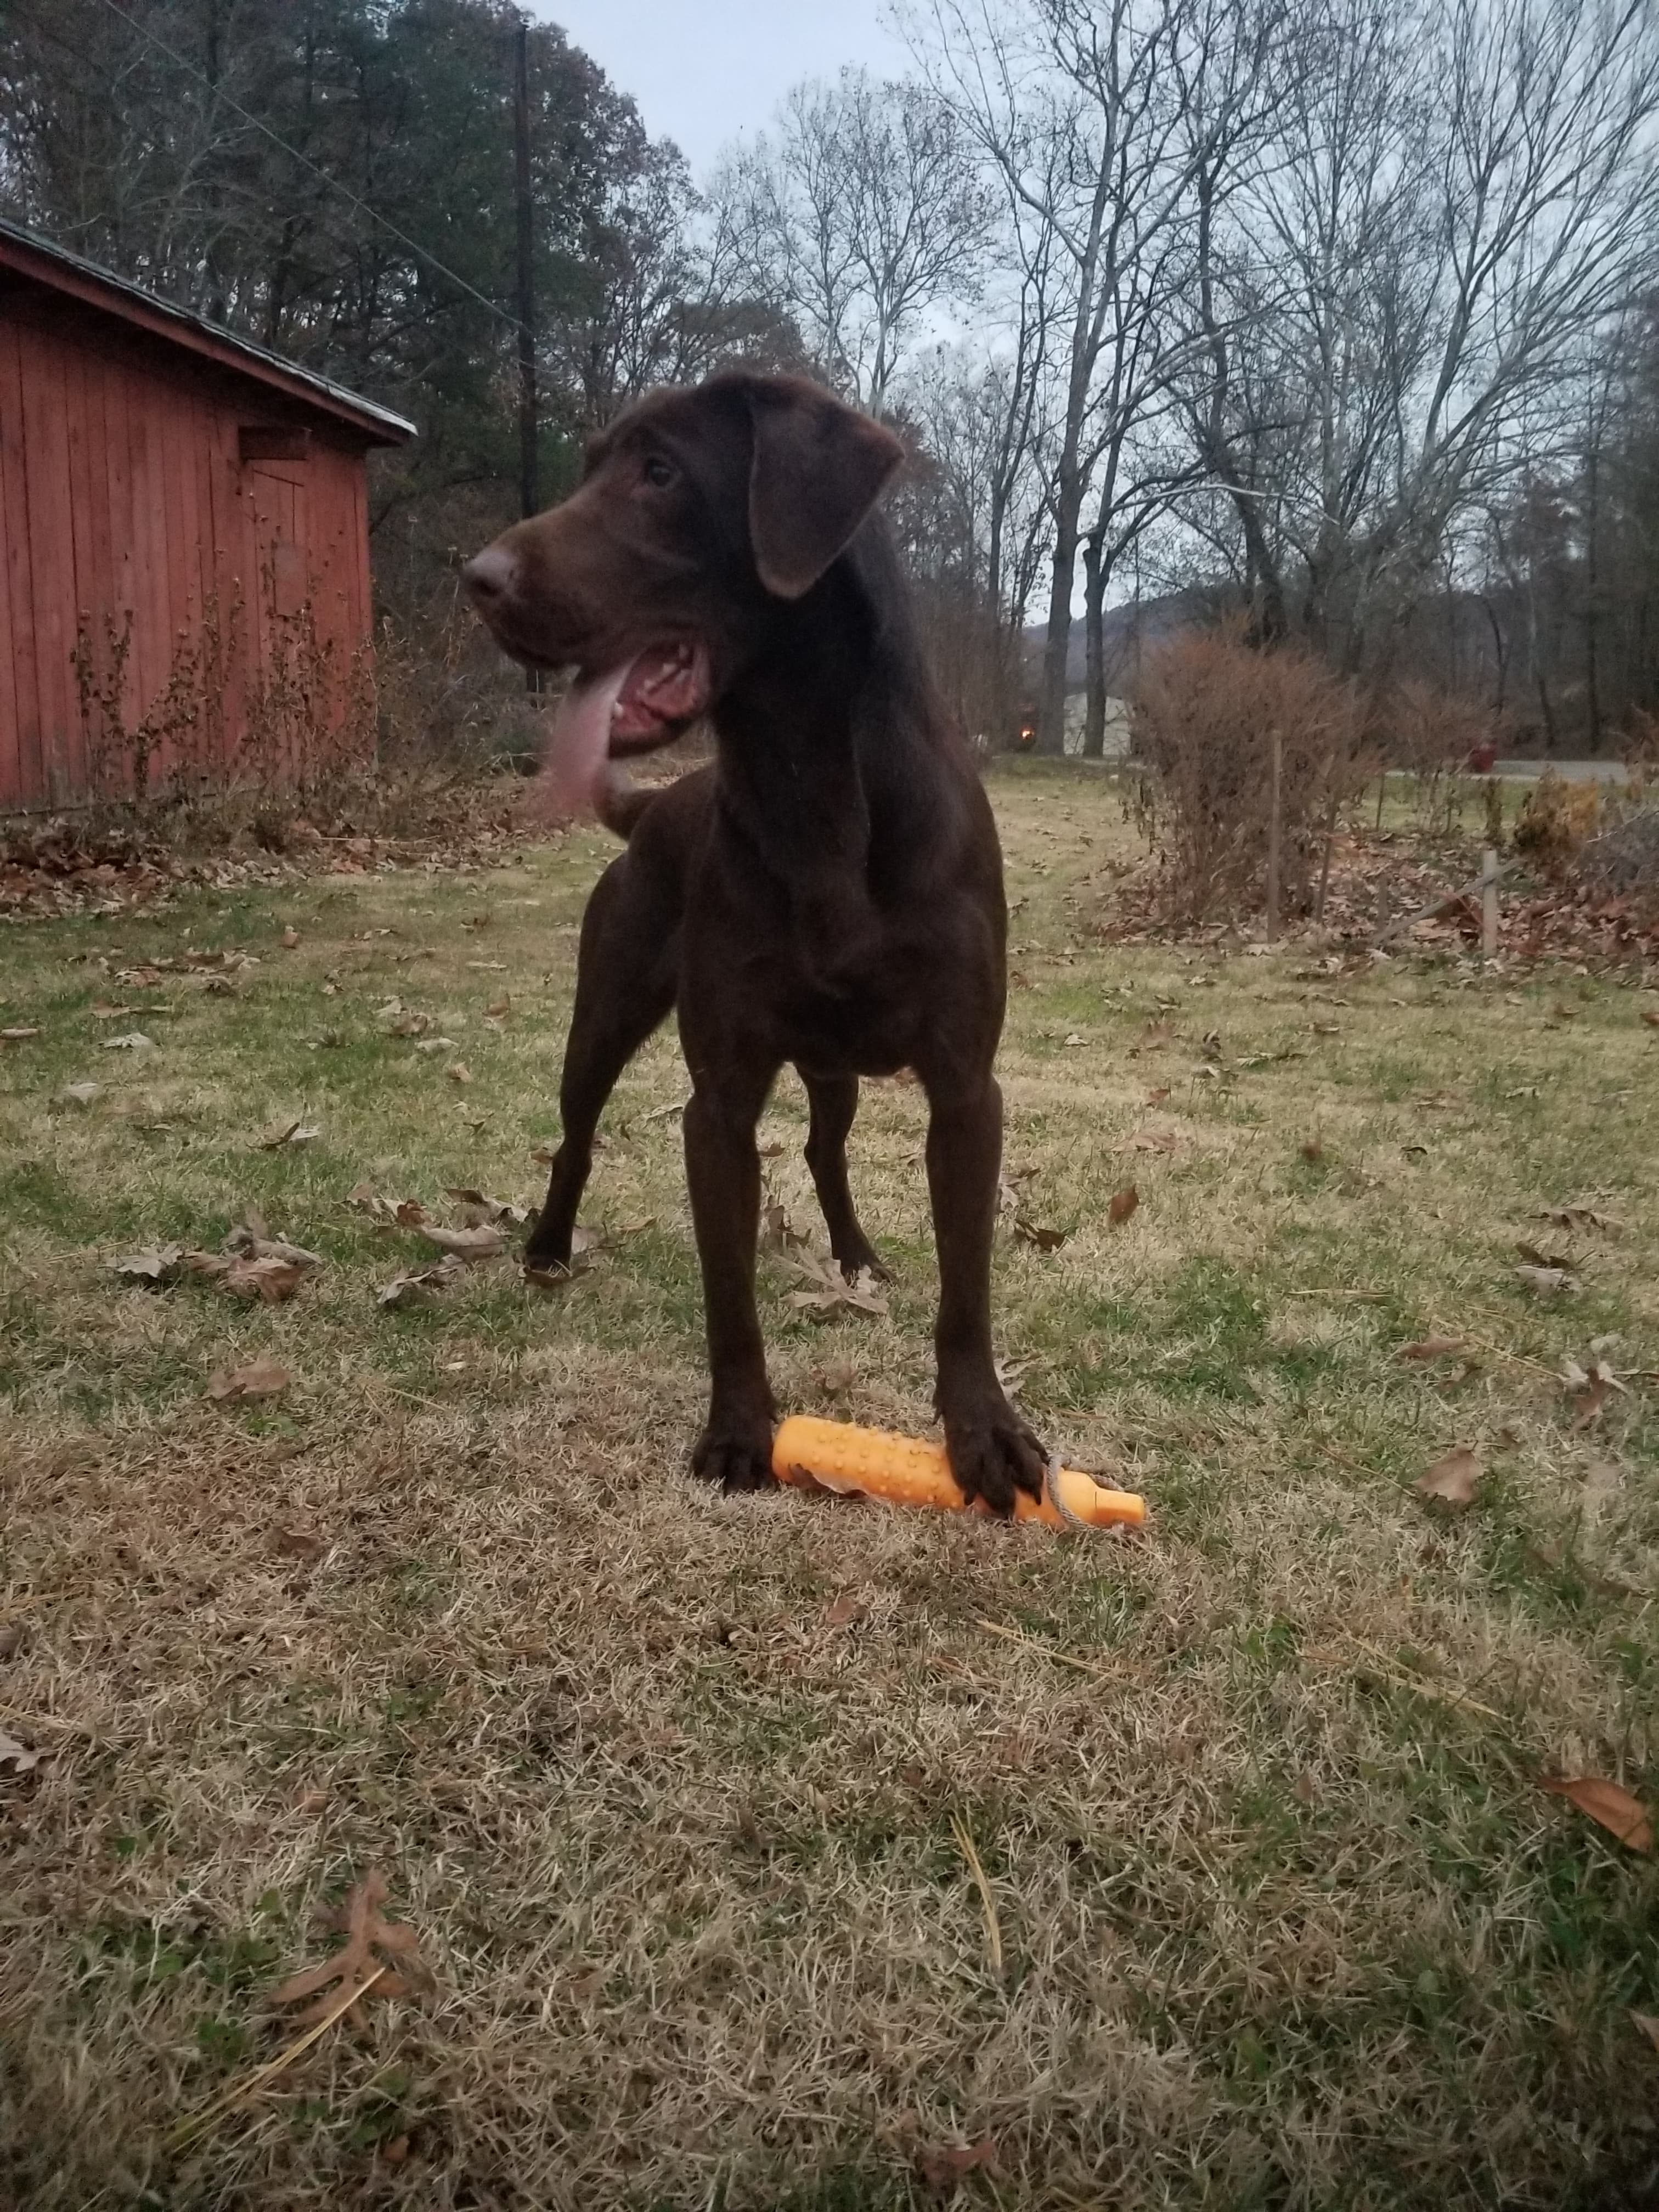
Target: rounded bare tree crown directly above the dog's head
859,218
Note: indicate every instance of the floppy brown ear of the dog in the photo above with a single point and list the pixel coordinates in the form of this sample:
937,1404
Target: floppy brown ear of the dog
817,472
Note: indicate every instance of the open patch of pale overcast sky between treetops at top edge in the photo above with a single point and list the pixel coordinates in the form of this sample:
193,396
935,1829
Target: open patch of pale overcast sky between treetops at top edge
707,70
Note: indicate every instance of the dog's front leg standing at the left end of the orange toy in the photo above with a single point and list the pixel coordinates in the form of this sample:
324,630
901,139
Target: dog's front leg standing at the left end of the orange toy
724,1180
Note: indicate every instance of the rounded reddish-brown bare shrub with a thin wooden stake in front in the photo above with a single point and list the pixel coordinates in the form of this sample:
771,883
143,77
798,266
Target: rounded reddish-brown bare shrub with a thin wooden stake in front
1202,722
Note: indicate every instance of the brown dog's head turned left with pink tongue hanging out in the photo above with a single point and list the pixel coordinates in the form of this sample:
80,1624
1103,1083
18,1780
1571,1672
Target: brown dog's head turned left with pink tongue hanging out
698,510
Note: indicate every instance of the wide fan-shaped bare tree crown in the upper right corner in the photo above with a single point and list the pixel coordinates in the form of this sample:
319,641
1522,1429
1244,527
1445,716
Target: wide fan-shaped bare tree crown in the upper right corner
1395,306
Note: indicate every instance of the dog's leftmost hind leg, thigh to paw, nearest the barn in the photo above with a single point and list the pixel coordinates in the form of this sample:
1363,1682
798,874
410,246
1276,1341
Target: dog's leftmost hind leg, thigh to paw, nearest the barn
625,988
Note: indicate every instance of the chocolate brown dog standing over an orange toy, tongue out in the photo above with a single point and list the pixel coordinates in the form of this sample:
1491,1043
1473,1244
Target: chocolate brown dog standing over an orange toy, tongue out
828,893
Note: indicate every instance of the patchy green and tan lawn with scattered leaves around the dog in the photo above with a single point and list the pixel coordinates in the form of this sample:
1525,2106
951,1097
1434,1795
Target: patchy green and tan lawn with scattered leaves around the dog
800,1855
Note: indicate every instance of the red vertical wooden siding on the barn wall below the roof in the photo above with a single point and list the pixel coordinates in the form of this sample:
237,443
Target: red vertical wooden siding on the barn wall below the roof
125,501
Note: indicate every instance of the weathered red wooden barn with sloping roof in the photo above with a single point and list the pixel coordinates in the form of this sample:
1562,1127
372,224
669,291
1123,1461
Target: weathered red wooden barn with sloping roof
185,550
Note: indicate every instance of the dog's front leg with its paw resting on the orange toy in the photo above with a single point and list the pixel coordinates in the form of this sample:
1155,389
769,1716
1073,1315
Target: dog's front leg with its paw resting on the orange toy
992,1450
